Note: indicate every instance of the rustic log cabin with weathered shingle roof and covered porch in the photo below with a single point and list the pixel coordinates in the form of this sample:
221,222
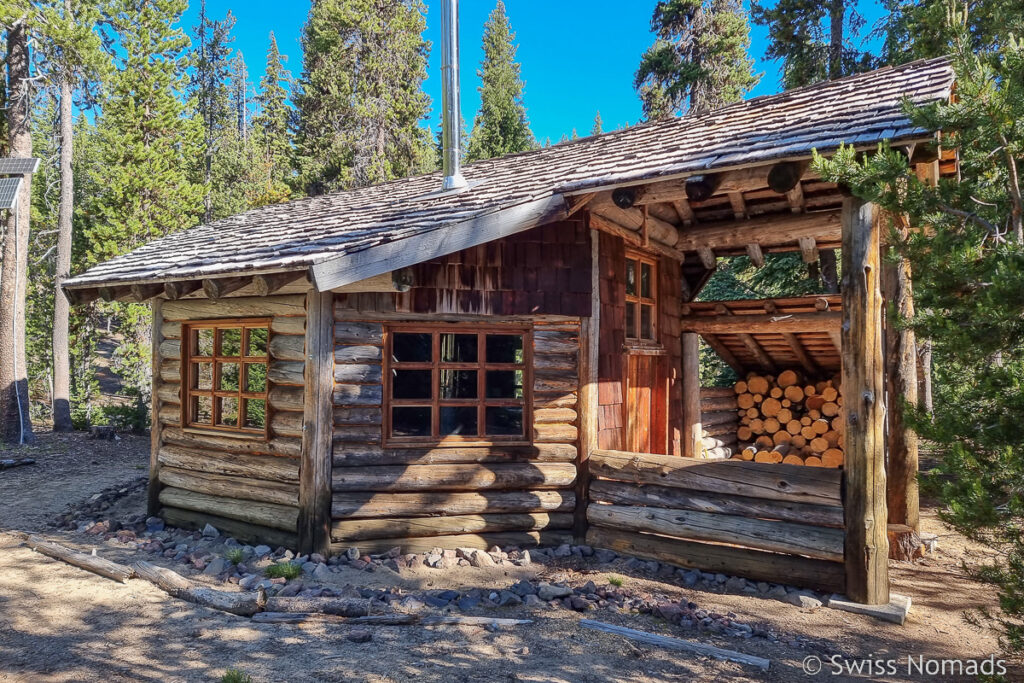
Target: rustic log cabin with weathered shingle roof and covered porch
507,353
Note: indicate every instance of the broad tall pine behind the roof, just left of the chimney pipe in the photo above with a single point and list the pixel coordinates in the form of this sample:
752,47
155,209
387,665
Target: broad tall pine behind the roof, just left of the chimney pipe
361,100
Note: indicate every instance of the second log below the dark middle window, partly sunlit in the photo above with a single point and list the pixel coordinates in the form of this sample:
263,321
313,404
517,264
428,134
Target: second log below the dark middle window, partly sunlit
456,478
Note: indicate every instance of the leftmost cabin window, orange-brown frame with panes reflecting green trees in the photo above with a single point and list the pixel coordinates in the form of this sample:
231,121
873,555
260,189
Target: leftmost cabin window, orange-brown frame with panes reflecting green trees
226,376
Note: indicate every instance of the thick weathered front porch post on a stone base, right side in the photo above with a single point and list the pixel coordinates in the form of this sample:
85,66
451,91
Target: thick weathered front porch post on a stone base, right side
865,404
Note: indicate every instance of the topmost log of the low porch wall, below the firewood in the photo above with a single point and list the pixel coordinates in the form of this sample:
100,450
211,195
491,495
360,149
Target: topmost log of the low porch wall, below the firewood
780,483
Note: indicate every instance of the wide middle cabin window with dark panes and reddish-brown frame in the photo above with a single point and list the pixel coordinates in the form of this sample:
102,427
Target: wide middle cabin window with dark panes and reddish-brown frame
458,387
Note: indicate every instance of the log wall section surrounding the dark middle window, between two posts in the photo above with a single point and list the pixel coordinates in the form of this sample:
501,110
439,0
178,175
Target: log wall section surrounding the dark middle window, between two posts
420,498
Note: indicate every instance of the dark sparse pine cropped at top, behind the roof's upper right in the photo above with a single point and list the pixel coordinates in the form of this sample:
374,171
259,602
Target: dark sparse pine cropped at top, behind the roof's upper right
813,39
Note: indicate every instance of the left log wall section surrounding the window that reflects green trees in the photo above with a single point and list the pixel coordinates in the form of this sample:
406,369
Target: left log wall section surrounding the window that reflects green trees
244,487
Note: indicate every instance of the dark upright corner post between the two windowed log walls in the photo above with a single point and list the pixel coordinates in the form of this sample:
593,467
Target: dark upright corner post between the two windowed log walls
315,468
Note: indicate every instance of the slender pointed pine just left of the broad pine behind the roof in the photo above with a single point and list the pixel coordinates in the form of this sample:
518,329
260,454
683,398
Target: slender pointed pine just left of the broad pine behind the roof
272,127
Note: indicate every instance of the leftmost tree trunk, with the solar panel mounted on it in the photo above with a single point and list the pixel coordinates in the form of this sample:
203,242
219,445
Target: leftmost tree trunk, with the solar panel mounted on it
16,425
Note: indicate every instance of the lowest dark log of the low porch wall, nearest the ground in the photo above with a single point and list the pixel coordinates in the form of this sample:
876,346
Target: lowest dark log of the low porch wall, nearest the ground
755,565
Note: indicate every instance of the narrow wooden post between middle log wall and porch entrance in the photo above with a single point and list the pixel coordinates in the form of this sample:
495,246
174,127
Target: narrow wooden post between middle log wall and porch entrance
589,405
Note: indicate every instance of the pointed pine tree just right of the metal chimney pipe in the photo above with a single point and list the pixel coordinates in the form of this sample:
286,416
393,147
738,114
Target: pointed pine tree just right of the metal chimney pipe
500,126
